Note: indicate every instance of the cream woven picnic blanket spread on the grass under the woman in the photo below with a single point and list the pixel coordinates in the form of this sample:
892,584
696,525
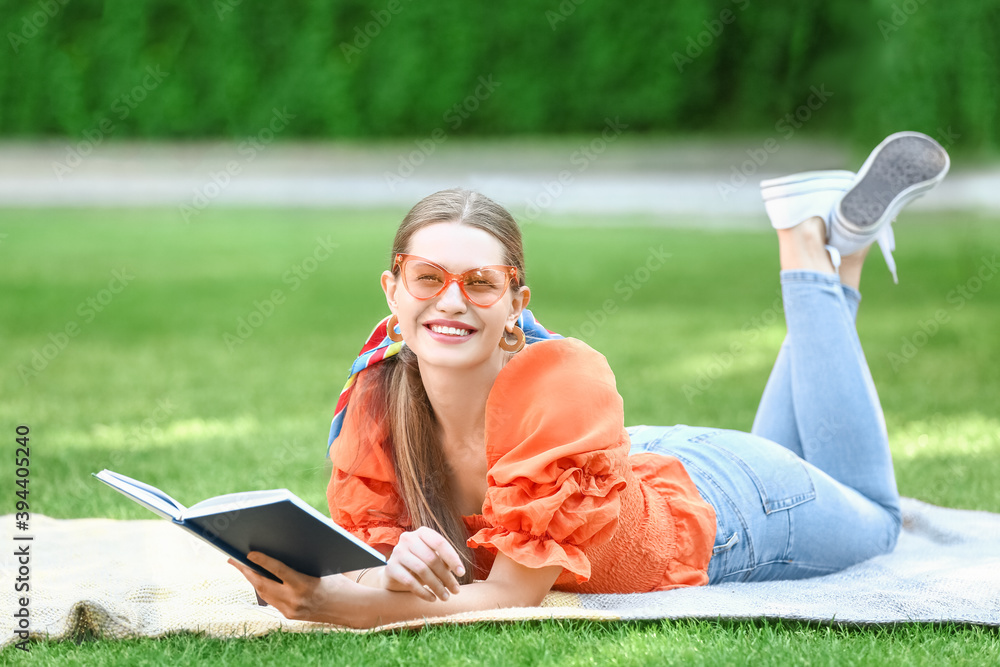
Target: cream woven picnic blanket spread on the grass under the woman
149,578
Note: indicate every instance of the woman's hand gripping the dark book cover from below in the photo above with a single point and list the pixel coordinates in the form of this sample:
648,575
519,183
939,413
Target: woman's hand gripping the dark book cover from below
297,596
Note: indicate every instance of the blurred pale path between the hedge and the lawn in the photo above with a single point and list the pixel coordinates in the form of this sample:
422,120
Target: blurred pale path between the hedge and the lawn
710,181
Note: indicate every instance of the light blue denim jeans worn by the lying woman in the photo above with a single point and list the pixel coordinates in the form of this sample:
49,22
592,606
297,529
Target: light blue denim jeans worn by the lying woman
811,490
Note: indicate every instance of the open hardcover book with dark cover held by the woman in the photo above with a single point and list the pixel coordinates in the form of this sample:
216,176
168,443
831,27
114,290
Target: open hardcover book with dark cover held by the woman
277,523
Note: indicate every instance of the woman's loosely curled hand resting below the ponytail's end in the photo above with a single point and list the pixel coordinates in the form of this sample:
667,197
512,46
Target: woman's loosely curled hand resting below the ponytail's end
425,564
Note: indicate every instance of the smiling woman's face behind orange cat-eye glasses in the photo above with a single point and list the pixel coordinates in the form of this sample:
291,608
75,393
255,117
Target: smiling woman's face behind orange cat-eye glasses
428,326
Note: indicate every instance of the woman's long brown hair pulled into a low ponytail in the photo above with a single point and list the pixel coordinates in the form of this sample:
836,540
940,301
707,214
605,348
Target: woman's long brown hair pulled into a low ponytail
423,477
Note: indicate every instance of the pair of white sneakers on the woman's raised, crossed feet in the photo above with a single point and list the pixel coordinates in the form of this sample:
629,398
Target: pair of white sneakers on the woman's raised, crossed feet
859,208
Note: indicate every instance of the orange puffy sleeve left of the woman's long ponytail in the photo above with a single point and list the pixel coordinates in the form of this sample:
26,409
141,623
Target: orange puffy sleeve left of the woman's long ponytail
362,491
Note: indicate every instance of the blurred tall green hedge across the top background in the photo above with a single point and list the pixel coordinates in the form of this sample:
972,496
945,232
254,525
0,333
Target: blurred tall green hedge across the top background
351,68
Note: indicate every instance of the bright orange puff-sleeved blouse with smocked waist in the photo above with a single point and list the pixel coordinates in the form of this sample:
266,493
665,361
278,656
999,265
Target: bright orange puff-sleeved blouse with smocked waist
562,488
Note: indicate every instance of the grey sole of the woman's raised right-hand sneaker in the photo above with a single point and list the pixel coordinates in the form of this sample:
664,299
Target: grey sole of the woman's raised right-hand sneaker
899,170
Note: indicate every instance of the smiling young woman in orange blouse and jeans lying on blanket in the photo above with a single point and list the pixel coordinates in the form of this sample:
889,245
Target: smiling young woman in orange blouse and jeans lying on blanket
490,471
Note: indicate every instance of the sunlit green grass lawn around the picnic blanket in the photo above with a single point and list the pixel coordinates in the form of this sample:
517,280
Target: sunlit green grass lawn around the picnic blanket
123,348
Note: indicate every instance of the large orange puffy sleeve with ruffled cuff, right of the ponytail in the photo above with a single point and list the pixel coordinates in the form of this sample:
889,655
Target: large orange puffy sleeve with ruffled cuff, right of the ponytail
558,453
